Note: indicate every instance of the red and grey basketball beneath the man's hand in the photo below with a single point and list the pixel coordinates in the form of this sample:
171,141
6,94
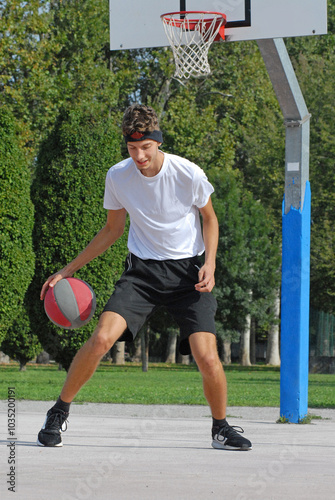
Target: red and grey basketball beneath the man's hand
70,303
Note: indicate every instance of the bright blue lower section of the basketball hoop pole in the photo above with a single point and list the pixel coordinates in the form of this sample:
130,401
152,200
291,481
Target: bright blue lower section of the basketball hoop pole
295,311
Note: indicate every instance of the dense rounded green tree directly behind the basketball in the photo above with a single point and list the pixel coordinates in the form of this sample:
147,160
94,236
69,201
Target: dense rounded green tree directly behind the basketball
68,192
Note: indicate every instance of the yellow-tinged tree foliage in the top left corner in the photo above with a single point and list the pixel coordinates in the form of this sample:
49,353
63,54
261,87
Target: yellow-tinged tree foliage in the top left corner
26,85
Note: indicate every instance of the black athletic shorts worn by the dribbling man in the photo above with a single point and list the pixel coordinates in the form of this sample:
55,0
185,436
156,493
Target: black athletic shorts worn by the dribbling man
149,284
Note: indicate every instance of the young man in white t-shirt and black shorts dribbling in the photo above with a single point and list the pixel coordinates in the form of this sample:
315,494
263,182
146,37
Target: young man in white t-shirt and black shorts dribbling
163,195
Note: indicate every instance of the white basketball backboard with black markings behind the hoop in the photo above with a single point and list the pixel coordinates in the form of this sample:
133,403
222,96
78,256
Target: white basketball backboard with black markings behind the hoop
136,23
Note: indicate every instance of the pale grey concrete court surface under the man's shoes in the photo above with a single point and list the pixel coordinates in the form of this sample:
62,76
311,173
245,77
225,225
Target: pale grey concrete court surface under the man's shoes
150,452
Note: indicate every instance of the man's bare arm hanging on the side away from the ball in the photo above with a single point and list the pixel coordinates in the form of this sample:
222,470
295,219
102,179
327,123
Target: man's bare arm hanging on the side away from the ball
210,228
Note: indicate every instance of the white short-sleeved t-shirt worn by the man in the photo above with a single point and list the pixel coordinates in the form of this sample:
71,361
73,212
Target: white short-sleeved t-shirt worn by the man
163,209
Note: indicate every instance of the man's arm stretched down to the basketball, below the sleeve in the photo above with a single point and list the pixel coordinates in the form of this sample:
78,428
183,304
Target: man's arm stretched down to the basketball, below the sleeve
112,230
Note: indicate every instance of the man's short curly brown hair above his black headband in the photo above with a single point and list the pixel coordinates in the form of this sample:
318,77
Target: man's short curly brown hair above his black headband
139,118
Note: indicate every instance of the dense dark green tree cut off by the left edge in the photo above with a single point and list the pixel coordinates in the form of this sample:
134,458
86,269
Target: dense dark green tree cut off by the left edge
16,218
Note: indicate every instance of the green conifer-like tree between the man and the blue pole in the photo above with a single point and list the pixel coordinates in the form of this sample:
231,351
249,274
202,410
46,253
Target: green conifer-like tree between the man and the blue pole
248,259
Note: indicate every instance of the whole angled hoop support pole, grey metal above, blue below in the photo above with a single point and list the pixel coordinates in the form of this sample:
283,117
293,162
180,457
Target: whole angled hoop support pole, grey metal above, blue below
296,232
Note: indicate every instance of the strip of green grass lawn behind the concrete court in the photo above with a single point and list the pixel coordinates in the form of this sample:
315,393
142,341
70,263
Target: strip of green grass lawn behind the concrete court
162,384
